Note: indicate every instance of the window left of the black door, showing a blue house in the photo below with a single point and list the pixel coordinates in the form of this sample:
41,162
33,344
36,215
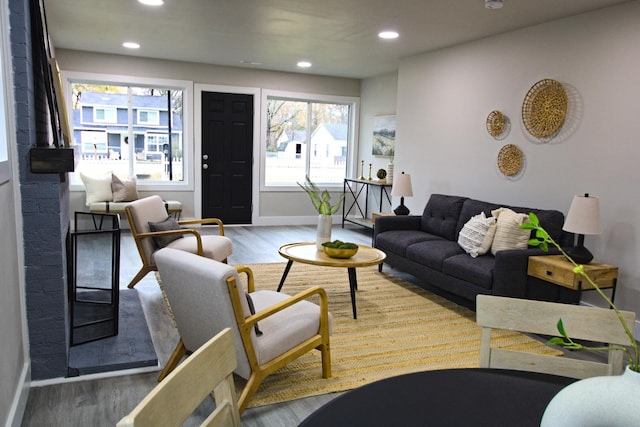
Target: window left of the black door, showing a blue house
130,129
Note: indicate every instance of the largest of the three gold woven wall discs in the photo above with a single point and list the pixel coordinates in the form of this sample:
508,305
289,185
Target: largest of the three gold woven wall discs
544,108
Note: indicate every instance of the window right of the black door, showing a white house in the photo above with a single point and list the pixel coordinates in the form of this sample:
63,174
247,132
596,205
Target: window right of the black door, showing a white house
308,135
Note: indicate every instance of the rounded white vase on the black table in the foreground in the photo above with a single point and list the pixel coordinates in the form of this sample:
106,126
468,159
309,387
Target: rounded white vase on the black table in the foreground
610,401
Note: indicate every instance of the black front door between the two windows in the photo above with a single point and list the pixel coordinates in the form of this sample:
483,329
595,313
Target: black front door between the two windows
227,150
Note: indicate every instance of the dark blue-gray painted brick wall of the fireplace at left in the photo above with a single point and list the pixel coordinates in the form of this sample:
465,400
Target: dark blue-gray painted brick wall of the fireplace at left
45,214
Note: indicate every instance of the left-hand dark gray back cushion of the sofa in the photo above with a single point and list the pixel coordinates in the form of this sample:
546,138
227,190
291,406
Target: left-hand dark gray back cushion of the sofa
441,214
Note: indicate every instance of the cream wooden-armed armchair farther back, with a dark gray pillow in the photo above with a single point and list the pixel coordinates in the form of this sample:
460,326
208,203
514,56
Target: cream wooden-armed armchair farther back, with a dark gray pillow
152,228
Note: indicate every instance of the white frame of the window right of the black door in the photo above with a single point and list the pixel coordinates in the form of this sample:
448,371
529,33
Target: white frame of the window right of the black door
354,114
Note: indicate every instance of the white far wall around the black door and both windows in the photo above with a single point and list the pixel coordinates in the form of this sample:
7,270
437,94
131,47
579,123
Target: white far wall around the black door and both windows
274,207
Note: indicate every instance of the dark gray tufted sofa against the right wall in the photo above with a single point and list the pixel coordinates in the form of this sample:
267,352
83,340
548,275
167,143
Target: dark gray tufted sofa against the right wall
426,247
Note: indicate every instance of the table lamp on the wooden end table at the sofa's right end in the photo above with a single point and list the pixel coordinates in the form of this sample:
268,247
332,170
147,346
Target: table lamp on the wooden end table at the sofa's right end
583,218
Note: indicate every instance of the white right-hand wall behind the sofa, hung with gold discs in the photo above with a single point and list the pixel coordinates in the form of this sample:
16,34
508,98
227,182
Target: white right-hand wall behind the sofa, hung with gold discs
444,98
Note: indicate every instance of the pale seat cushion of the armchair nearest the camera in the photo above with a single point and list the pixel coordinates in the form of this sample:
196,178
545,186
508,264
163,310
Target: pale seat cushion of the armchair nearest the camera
286,328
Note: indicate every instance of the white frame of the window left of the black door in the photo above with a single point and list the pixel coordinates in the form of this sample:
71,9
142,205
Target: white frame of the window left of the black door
186,86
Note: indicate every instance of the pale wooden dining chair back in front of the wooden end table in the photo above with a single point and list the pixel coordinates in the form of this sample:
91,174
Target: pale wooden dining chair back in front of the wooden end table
598,325
